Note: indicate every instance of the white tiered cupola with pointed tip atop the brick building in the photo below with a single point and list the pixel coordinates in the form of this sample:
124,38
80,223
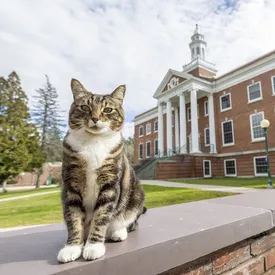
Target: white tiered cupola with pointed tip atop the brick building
197,45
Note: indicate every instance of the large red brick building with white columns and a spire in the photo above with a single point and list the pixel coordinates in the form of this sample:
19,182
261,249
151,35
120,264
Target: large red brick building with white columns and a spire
209,126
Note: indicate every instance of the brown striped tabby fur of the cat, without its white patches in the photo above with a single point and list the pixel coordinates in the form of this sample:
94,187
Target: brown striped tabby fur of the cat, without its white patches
119,196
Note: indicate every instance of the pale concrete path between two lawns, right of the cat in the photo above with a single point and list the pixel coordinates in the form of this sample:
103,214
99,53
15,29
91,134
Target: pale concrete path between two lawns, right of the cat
200,186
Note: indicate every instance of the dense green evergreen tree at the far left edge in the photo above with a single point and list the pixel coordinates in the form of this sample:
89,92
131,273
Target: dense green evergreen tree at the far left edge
18,137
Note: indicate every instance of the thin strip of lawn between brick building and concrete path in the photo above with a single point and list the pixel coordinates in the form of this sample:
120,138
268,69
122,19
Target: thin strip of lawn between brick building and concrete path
234,182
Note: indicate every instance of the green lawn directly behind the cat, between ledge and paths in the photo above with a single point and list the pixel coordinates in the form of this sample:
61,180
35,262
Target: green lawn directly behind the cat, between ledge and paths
47,208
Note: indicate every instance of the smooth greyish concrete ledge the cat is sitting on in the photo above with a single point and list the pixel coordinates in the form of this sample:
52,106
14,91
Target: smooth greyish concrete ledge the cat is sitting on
167,237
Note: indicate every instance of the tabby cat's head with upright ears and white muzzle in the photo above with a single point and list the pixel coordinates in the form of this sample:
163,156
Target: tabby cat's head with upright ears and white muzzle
96,114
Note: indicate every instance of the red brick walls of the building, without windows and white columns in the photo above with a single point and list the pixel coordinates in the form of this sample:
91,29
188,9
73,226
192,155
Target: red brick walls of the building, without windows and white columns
243,148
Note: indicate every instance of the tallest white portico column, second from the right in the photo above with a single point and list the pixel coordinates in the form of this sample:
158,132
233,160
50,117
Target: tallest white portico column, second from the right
194,122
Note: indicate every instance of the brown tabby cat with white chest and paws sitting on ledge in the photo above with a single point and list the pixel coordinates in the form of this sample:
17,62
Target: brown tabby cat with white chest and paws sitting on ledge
101,196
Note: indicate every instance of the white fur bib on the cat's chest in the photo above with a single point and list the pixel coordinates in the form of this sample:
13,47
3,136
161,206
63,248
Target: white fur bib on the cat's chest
94,150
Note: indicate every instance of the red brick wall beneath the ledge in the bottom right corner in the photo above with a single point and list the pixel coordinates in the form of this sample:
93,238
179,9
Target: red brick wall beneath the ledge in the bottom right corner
254,256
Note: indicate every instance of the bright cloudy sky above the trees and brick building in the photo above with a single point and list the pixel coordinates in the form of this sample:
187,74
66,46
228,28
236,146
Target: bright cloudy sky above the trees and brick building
111,42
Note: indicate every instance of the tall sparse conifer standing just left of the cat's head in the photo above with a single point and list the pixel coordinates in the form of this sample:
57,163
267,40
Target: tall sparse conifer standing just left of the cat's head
47,115
